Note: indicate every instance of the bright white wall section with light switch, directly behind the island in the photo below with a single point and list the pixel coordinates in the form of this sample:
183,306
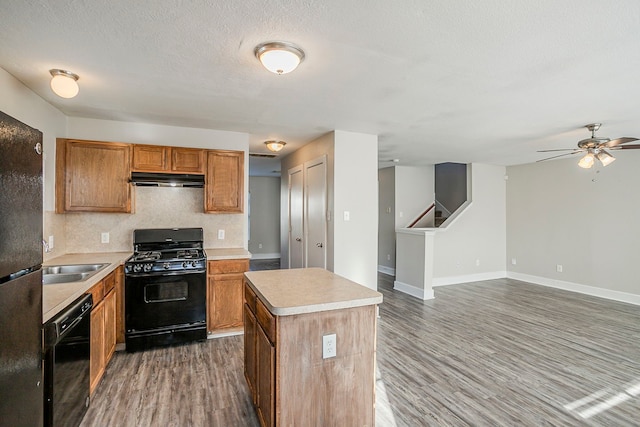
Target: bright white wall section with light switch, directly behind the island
356,192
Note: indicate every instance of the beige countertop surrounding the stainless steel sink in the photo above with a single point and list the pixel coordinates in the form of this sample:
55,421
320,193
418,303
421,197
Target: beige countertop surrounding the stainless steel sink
56,297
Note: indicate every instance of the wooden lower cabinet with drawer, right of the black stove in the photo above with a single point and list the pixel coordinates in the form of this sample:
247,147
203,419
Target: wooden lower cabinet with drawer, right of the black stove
224,294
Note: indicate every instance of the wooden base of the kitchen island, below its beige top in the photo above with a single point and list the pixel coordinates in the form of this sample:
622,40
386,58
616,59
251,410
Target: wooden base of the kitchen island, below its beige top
290,381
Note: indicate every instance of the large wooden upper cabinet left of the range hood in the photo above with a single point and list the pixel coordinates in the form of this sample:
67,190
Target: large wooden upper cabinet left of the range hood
92,176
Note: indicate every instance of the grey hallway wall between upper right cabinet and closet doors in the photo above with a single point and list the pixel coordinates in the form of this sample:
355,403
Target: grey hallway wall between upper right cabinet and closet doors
264,217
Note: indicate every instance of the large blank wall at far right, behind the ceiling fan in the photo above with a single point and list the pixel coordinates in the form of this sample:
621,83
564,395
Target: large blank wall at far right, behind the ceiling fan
583,219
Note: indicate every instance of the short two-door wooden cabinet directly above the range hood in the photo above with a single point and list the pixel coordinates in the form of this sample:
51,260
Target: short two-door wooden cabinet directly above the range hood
156,158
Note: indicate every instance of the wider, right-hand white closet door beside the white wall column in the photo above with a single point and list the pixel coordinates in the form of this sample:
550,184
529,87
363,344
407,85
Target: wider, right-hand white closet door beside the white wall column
316,213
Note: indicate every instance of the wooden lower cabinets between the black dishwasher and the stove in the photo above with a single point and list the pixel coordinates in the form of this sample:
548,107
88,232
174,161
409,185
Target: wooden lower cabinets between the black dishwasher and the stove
103,326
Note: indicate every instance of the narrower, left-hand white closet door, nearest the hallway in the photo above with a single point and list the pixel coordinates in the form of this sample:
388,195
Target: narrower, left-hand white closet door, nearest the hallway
296,215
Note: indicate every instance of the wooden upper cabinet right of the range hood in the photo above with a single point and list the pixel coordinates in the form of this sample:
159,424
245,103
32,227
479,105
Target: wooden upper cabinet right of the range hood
224,182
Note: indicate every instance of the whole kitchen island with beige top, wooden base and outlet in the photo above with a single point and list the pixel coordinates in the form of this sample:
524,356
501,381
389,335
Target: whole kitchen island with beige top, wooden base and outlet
293,320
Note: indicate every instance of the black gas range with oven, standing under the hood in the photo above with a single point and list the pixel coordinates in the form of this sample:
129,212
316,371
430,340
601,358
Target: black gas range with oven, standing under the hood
165,288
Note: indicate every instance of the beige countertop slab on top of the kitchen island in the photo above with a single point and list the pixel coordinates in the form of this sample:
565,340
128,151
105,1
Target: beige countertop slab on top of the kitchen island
308,290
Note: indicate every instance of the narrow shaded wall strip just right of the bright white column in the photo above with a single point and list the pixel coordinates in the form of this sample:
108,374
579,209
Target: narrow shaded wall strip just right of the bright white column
386,221
